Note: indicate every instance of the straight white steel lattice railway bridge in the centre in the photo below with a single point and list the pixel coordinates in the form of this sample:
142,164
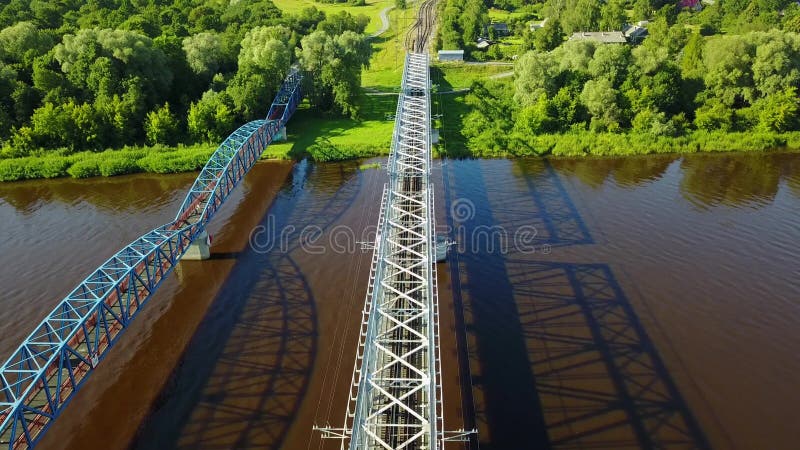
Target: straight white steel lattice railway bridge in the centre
395,397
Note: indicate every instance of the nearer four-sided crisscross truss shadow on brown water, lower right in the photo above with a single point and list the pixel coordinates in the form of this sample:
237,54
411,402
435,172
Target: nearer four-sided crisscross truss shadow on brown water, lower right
600,379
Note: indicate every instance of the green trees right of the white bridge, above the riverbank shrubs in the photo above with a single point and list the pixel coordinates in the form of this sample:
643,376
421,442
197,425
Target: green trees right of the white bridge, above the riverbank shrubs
684,78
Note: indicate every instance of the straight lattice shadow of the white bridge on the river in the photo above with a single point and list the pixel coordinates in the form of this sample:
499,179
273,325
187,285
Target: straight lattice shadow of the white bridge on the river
557,355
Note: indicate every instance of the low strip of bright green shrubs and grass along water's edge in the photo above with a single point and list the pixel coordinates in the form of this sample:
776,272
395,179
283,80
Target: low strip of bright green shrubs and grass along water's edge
163,160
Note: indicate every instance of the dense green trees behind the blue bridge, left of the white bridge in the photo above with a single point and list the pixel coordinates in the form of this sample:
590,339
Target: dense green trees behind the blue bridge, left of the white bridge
108,73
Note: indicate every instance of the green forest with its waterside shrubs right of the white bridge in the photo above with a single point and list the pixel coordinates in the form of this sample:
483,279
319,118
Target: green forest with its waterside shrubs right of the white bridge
724,78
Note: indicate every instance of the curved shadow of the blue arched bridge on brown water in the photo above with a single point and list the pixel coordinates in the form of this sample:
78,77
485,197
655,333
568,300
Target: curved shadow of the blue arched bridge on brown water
245,372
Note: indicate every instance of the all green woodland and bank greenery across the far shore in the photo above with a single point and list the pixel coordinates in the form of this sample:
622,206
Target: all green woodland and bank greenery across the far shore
107,87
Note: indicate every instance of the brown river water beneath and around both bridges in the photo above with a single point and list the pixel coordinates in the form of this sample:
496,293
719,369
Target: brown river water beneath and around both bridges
649,302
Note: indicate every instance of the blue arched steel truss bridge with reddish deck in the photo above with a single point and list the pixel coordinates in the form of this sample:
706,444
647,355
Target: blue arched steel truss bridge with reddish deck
44,373
